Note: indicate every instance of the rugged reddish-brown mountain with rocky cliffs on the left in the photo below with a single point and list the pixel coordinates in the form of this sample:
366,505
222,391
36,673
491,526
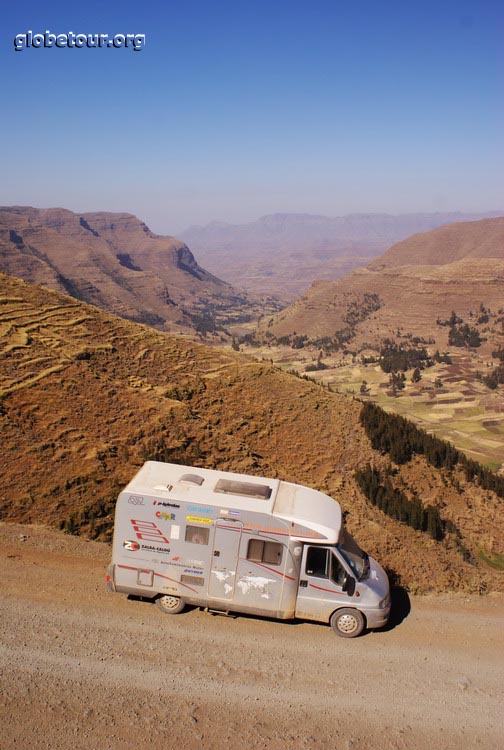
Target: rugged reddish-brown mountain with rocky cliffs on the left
115,262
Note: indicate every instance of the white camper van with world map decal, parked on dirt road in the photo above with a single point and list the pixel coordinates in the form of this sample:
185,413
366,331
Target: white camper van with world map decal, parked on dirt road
238,543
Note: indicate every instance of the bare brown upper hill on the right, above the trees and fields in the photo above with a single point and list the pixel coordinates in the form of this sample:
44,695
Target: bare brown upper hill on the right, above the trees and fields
417,282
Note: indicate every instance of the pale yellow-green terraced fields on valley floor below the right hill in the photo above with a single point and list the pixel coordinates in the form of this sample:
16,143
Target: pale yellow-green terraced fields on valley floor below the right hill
461,410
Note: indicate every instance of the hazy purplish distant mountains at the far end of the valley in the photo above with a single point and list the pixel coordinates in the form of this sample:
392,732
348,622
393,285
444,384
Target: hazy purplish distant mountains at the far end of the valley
282,254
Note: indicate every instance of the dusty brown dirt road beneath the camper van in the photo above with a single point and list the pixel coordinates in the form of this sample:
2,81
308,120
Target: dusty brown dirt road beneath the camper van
84,668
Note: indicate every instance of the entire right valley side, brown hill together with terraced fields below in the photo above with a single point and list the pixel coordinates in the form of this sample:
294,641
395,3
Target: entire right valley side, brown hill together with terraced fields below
397,315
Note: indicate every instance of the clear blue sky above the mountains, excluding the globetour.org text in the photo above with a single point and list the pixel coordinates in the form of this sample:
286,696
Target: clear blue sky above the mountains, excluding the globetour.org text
237,109
